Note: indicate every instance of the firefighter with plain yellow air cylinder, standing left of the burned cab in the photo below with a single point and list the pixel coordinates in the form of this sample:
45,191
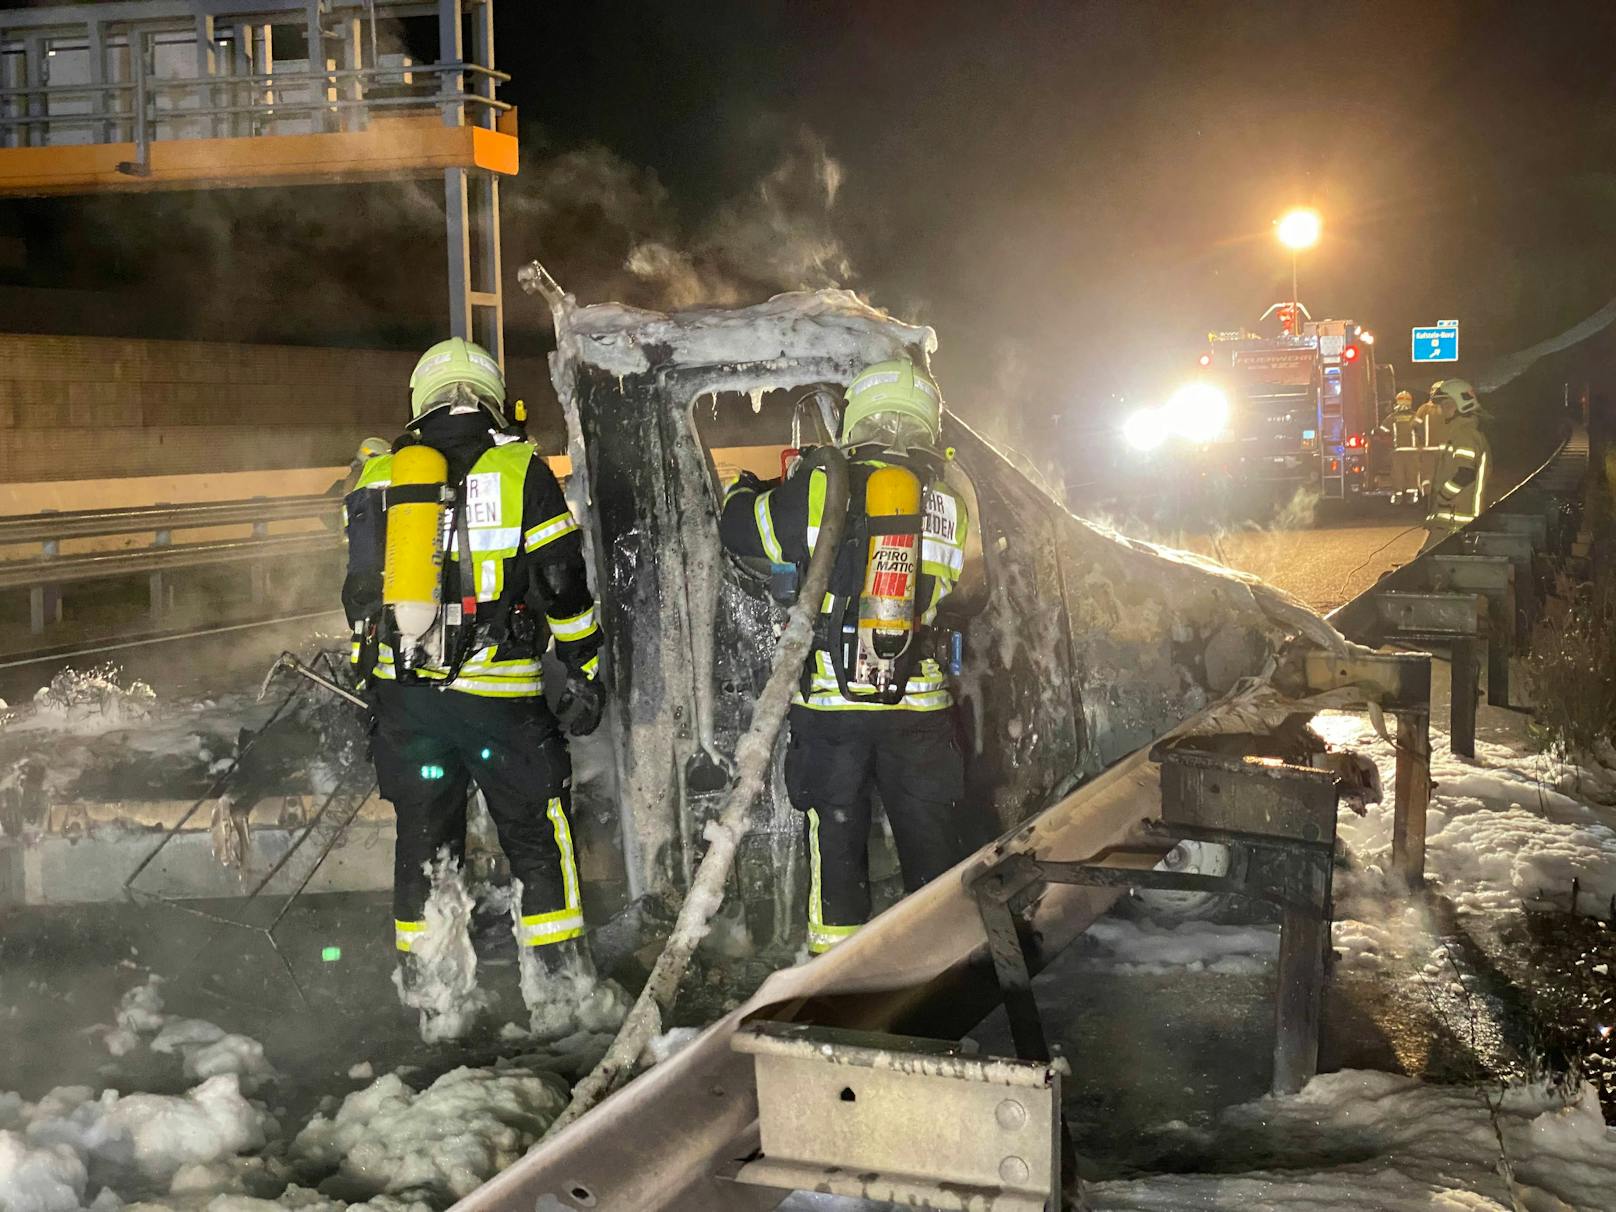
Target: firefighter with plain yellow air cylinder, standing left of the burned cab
463,563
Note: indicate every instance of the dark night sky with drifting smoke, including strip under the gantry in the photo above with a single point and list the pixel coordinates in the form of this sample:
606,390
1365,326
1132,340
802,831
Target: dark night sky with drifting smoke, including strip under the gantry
1072,193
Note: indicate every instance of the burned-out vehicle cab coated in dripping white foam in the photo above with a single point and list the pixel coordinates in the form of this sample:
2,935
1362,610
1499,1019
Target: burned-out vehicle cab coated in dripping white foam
1077,647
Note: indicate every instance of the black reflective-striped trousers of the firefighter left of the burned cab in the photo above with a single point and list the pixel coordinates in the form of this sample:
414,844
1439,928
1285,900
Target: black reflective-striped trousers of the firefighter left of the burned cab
429,747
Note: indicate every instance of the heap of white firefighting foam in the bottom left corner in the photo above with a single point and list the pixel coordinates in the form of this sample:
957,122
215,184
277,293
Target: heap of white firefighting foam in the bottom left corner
216,1150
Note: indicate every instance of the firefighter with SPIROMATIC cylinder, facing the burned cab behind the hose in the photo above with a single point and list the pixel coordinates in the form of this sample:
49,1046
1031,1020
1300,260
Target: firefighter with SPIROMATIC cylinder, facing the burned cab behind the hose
873,710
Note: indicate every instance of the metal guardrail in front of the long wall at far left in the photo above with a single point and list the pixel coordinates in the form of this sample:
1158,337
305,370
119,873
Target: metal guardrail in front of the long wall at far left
44,576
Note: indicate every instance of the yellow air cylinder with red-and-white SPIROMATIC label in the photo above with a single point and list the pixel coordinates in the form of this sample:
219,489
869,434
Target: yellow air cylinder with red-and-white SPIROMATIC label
886,608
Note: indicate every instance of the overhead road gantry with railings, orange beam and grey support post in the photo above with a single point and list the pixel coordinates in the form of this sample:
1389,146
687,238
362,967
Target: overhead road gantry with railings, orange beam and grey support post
125,96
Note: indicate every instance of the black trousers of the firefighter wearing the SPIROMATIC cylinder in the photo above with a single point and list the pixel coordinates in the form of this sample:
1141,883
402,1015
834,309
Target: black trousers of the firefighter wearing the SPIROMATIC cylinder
833,764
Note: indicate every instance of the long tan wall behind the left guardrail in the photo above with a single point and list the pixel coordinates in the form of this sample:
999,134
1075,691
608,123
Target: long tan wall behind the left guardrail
77,408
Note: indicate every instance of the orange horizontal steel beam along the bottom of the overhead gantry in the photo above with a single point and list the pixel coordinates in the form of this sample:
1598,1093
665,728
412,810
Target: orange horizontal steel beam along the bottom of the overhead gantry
389,148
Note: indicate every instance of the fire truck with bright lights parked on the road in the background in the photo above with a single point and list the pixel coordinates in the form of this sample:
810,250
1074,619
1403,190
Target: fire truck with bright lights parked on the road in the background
1305,408
